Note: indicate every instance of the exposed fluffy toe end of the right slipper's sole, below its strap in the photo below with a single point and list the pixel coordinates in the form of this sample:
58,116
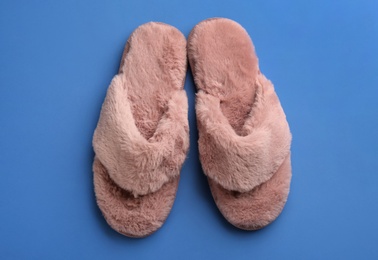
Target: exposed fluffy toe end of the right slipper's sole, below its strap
259,207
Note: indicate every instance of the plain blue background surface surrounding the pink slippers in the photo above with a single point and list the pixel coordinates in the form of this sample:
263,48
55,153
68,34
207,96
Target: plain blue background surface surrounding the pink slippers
56,61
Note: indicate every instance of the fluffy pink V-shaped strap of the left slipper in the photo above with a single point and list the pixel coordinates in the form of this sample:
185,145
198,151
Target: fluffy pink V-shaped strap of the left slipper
135,164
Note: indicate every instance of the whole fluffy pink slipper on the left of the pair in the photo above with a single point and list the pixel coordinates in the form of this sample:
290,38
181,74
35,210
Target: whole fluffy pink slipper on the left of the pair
142,136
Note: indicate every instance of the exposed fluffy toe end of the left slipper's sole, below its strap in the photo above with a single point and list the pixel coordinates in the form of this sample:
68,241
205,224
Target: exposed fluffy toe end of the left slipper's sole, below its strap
129,215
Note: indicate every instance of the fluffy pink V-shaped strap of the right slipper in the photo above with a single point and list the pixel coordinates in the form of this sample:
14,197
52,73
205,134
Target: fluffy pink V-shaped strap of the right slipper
237,162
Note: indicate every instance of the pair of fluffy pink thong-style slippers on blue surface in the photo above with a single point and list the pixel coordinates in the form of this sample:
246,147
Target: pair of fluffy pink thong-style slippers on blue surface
142,136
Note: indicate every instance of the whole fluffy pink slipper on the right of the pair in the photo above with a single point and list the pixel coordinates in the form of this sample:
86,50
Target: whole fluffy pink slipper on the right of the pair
244,138
